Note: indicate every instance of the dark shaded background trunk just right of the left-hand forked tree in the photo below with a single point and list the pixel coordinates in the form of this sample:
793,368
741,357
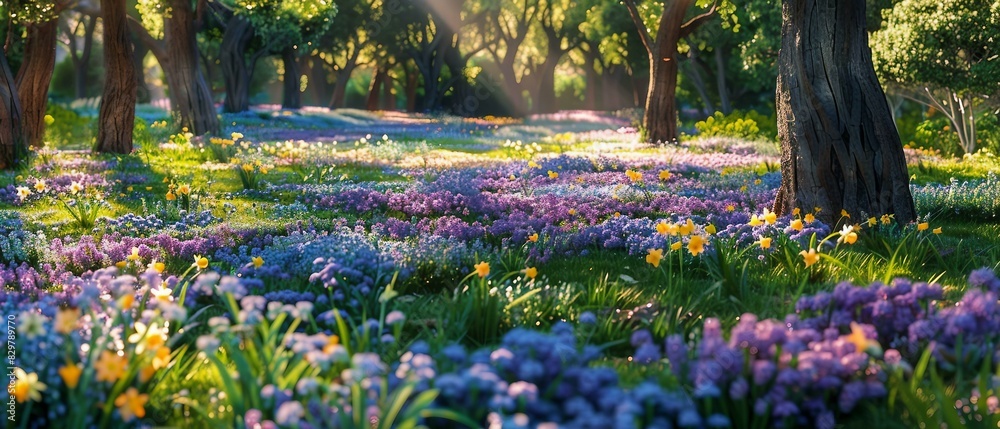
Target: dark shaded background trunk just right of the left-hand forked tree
235,73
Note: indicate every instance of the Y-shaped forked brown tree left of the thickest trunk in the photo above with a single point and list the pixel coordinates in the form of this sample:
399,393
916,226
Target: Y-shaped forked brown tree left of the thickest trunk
660,119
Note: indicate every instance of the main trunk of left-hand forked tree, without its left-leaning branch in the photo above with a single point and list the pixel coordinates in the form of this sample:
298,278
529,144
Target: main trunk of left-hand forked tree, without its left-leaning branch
189,93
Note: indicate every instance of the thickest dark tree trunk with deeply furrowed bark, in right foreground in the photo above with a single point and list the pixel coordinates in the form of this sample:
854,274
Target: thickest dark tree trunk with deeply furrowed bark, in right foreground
839,147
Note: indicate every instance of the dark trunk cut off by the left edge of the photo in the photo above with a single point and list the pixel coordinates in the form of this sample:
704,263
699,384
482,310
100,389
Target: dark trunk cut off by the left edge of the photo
13,141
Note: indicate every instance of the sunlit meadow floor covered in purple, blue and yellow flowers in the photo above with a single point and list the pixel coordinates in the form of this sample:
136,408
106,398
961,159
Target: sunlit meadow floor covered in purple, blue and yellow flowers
348,269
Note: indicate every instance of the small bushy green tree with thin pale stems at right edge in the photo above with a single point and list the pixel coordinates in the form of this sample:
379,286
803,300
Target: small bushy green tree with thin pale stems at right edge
943,54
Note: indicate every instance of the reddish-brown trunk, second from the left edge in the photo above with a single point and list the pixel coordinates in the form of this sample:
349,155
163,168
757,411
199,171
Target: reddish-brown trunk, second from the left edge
34,77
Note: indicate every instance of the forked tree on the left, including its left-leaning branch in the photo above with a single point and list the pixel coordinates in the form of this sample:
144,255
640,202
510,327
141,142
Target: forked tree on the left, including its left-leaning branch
177,53
